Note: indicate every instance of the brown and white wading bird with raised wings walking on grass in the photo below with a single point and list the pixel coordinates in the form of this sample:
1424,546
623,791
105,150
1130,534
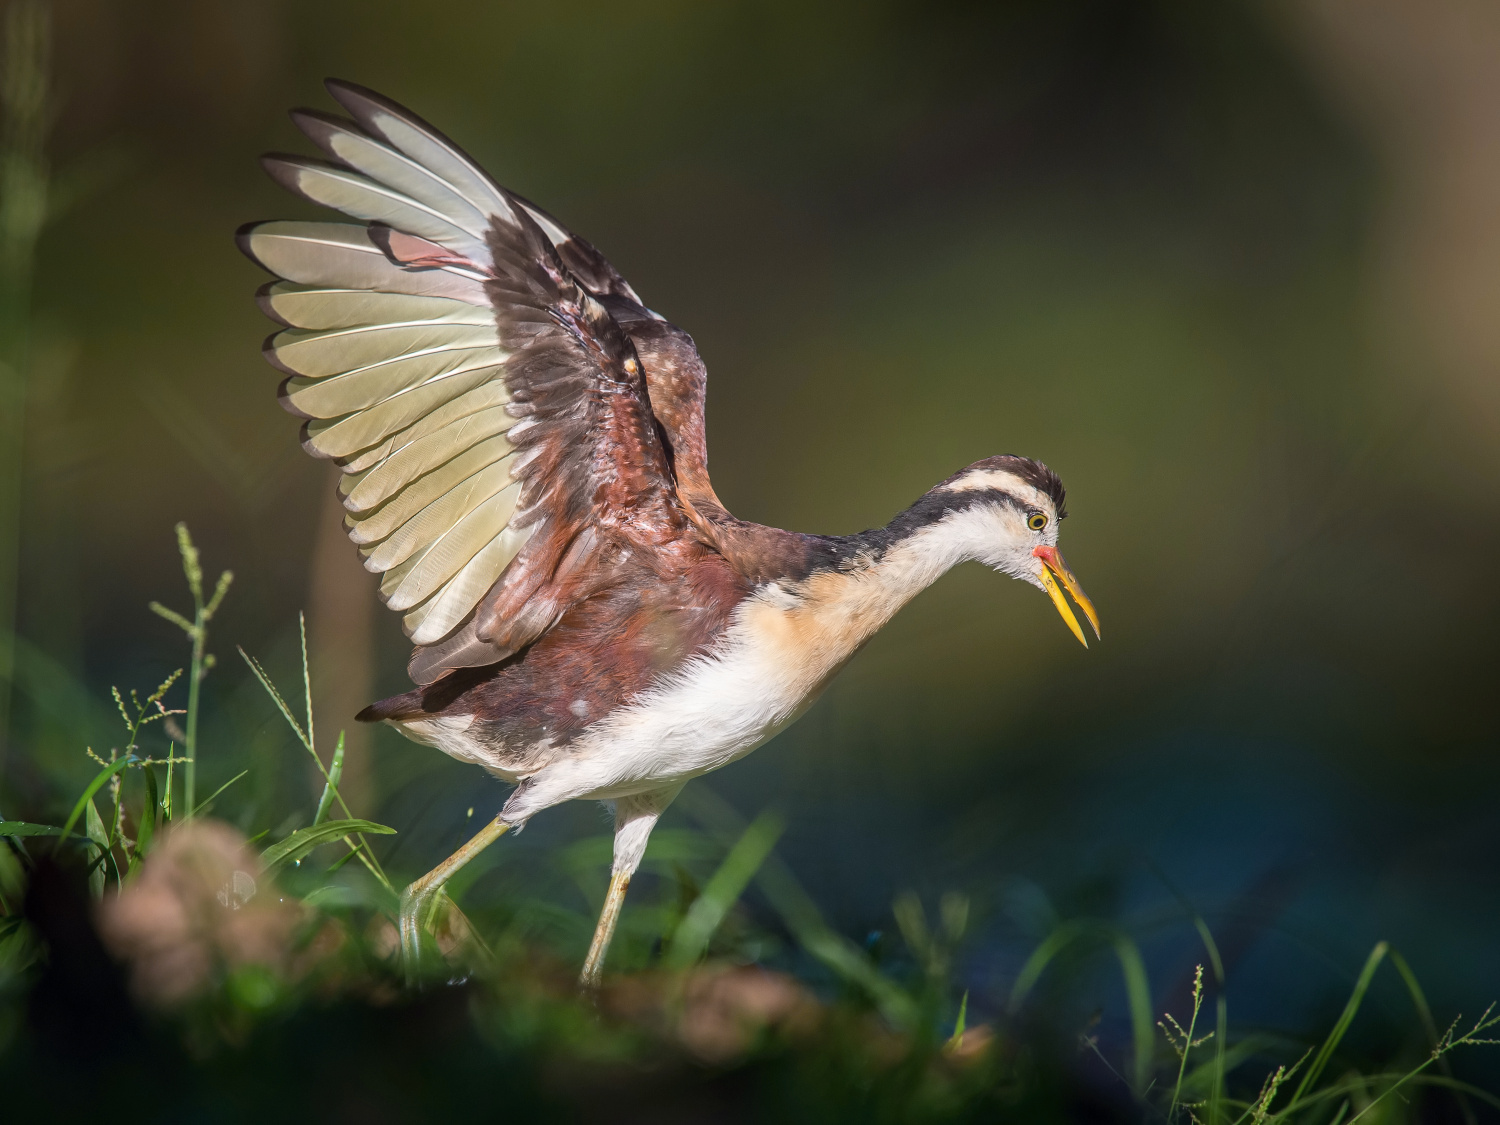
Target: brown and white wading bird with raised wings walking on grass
524,463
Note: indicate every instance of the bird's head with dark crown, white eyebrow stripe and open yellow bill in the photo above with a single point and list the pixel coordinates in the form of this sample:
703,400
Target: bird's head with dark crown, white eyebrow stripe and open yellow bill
1010,520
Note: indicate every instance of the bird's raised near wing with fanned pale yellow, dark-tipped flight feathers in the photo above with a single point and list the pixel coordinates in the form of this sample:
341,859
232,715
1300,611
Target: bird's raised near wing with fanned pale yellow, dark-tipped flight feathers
457,359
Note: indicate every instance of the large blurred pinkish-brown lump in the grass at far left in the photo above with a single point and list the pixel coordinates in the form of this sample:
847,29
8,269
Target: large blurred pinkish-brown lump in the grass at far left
200,907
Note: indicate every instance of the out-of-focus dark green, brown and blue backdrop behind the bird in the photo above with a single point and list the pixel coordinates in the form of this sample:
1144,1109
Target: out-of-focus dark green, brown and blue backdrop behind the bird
1232,271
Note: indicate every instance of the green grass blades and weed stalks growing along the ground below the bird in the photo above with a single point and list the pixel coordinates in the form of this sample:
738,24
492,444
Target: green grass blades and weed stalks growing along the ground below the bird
857,1037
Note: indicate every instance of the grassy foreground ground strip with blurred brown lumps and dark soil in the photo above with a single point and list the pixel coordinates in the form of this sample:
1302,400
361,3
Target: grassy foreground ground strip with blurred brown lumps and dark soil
200,956
